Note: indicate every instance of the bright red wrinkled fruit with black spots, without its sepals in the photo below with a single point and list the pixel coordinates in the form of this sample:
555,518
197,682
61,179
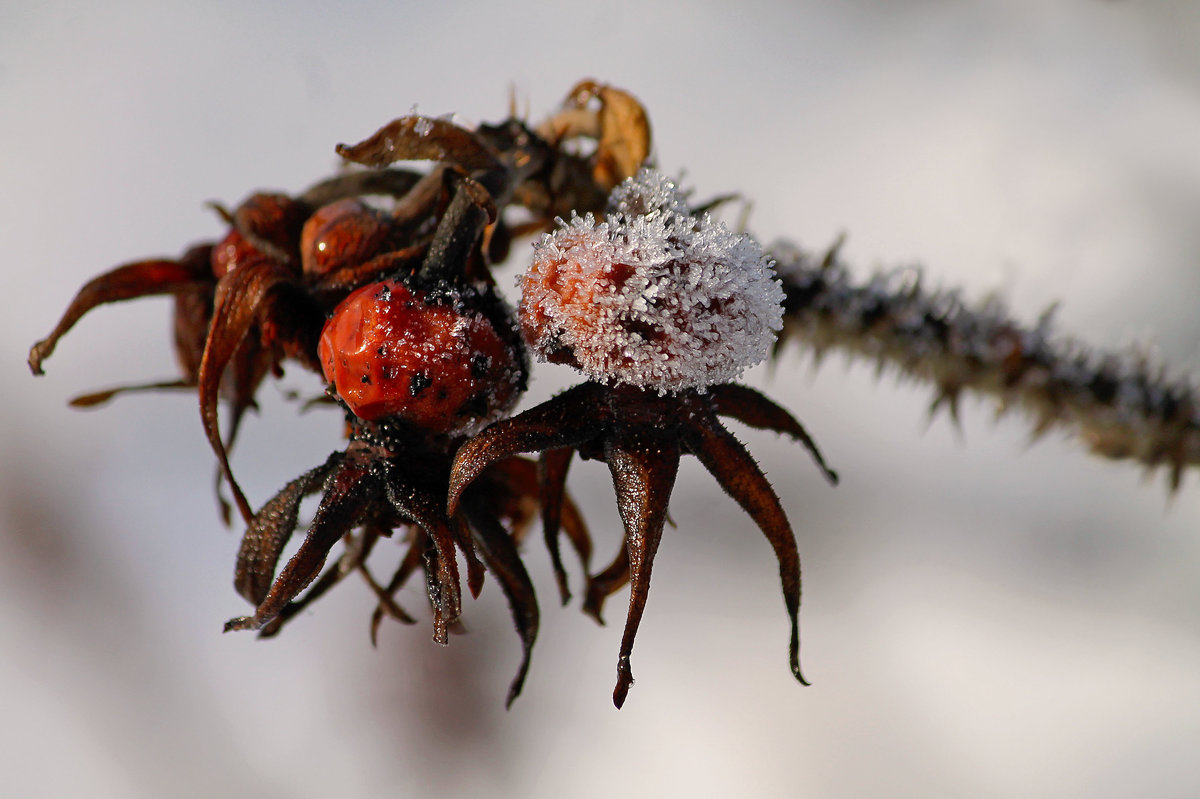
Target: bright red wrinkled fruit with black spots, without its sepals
436,363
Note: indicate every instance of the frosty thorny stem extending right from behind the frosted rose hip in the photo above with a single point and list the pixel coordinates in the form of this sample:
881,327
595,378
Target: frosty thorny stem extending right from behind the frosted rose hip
1121,406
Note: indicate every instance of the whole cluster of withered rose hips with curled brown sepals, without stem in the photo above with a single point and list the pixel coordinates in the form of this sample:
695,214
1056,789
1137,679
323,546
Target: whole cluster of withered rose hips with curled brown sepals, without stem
381,280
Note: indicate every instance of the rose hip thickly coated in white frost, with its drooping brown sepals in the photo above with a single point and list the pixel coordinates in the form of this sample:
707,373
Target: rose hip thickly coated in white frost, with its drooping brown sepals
662,310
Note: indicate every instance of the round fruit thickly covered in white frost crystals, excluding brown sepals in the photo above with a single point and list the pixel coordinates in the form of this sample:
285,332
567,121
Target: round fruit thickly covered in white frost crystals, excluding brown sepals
651,297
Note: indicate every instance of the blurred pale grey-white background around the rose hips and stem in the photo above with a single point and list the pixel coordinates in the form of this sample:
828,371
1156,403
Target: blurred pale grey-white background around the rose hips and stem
981,617
